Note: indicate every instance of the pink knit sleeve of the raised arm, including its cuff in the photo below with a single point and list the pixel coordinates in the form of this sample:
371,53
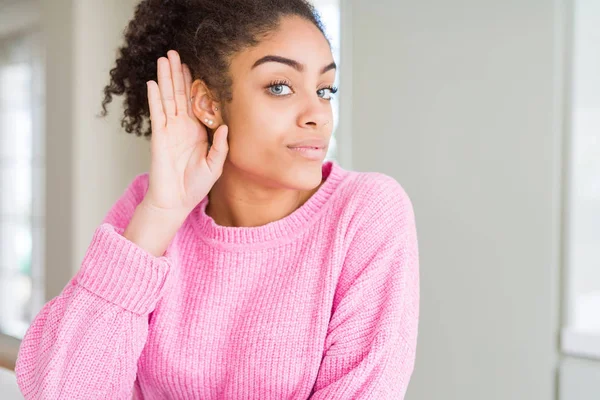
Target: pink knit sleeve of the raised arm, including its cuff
85,343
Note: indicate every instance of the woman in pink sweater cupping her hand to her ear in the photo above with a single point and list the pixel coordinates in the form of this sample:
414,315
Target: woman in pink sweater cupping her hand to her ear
242,265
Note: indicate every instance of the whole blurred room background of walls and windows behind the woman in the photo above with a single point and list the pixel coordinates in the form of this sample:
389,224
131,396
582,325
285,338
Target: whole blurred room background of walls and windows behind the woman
486,111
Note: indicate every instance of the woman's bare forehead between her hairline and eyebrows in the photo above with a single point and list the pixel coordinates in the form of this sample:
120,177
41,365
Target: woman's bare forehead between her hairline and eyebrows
297,39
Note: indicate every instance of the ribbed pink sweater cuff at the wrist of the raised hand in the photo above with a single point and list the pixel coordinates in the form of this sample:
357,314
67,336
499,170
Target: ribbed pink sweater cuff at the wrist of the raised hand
121,272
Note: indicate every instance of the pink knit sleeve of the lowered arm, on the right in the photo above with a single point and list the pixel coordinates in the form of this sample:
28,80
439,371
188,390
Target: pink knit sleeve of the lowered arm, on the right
372,335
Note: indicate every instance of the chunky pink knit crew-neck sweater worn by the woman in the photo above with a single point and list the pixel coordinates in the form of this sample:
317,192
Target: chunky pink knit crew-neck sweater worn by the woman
321,304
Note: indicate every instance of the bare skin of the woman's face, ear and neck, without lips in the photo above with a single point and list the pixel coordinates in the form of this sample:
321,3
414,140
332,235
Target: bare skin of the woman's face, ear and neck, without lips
262,179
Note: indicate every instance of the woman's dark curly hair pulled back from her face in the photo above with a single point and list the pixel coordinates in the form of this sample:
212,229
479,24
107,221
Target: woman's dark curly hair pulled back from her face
205,33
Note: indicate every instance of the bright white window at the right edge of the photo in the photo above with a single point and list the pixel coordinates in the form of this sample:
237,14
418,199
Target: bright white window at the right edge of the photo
581,335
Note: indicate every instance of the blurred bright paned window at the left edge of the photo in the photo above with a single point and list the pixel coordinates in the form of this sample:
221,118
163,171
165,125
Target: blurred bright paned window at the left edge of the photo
21,175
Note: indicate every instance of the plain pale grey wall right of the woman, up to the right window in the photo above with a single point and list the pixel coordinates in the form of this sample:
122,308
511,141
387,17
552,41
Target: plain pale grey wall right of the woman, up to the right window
461,102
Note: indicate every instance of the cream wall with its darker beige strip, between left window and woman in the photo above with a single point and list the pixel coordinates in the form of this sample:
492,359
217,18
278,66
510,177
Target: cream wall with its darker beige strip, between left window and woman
90,161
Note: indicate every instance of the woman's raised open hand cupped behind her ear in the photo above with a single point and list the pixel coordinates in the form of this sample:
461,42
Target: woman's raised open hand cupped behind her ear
181,172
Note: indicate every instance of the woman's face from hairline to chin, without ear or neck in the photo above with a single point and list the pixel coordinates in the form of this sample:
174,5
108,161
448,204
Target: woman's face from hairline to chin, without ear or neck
280,102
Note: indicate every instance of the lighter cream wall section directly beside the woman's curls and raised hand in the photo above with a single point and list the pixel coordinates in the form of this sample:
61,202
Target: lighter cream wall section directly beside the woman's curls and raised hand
106,158
